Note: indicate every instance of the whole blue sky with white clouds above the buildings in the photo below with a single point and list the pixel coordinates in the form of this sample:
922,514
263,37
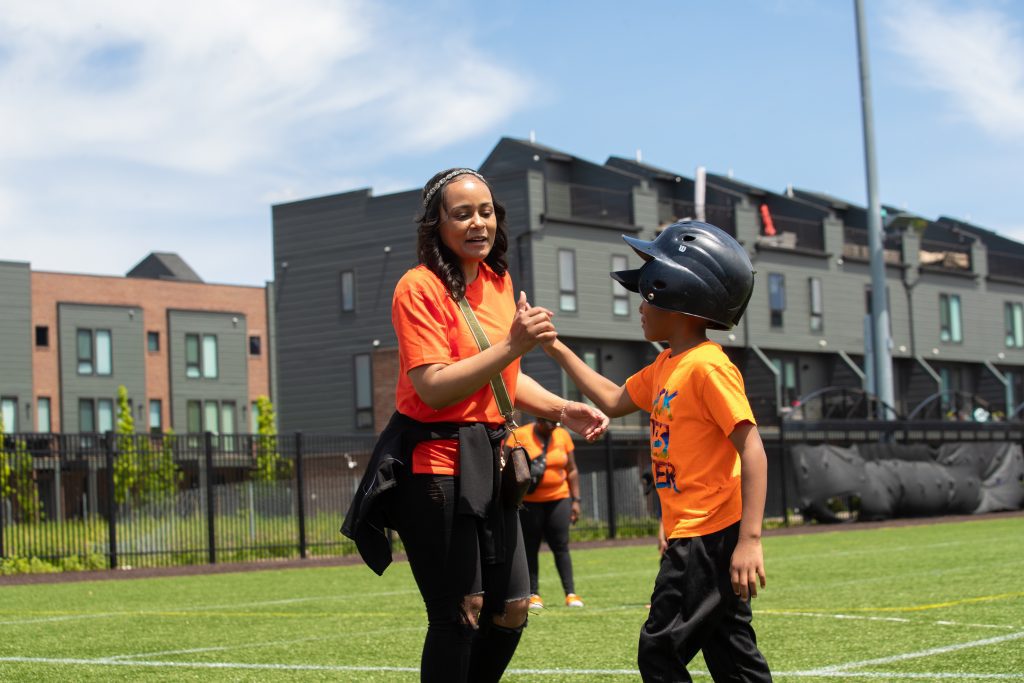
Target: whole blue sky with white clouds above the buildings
133,127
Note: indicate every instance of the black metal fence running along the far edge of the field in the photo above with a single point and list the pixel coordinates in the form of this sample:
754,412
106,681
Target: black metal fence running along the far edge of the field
94,501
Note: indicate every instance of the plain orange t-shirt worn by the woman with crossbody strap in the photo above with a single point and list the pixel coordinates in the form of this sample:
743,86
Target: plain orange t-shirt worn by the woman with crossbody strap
432,329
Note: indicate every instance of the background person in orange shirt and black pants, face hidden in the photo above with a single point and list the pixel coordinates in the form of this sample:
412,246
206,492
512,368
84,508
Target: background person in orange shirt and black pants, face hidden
550,509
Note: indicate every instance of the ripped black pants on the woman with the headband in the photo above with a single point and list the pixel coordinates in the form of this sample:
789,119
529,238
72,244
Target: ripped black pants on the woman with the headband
445,557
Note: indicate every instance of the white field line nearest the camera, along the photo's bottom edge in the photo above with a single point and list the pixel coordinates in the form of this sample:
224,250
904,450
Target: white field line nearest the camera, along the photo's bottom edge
881,675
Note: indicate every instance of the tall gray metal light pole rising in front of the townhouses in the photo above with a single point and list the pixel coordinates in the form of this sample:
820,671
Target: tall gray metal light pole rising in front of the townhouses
876,242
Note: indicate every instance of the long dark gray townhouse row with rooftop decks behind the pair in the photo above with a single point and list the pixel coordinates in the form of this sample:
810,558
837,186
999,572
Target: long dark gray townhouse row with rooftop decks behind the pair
956,291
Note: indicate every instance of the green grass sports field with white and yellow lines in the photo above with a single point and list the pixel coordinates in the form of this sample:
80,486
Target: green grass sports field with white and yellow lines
929,603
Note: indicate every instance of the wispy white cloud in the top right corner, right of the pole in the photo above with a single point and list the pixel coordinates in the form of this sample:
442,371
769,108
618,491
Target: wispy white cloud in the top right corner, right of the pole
973,55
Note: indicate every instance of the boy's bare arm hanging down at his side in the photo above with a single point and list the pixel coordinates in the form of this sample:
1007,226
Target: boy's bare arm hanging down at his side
748,567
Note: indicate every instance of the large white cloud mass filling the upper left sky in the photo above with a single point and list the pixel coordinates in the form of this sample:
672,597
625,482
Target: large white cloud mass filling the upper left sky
172,117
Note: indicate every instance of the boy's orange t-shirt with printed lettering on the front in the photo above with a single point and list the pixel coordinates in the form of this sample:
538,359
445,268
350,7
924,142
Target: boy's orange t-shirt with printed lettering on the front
697,400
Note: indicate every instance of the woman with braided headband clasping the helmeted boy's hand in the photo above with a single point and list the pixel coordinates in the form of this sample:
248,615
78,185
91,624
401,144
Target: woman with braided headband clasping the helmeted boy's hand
464,547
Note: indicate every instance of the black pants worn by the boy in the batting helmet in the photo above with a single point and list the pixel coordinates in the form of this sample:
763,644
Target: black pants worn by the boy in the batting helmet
694,609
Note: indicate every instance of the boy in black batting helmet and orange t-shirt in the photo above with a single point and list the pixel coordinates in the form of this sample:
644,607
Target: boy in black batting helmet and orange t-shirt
709,463
